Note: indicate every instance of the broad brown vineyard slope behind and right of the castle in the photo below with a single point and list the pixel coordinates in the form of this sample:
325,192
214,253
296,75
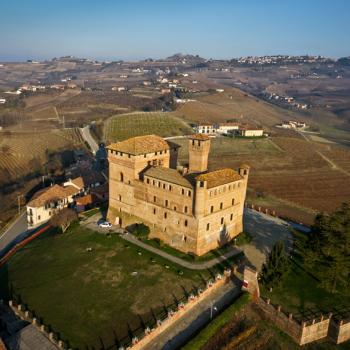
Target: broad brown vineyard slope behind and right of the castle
290,169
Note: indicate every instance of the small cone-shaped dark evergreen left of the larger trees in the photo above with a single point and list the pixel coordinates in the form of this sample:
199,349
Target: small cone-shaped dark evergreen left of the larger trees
276,265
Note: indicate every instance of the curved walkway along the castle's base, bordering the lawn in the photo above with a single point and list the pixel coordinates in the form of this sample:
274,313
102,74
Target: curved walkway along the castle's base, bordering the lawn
187,264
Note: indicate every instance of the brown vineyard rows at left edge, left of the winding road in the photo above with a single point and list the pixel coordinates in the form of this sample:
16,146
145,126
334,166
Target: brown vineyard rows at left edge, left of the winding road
17,150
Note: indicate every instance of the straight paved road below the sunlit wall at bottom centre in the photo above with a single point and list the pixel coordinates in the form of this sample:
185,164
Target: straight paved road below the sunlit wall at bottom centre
178,334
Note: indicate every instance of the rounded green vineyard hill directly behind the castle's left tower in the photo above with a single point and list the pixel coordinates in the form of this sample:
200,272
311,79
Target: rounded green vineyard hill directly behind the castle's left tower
128,125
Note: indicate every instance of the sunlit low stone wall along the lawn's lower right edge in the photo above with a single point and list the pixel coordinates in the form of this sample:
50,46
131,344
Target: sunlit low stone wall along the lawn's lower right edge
183,309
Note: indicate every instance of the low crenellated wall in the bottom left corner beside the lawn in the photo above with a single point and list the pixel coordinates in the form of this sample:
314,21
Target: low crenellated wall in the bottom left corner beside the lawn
26,315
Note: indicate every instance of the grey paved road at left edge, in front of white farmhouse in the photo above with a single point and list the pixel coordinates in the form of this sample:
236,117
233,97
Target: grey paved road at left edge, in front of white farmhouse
14,233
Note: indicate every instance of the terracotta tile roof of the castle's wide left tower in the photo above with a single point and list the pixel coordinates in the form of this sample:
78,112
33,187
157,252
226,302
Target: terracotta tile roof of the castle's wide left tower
140,145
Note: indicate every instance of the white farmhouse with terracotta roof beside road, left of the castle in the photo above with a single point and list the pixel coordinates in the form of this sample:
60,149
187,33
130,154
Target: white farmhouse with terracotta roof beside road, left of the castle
47,202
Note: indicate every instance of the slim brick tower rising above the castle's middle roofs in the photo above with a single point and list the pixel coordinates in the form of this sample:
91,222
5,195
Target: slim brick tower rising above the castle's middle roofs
198,150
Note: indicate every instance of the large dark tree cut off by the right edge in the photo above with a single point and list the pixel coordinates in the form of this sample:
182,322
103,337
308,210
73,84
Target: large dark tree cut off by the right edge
327,250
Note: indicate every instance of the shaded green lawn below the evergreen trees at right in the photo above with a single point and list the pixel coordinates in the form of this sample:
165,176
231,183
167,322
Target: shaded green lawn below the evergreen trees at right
300,292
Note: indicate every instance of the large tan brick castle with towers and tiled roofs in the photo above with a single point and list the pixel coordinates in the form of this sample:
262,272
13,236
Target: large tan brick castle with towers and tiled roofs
191,209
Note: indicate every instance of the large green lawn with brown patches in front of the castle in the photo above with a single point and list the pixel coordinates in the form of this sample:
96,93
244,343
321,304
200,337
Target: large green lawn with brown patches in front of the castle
90,295
